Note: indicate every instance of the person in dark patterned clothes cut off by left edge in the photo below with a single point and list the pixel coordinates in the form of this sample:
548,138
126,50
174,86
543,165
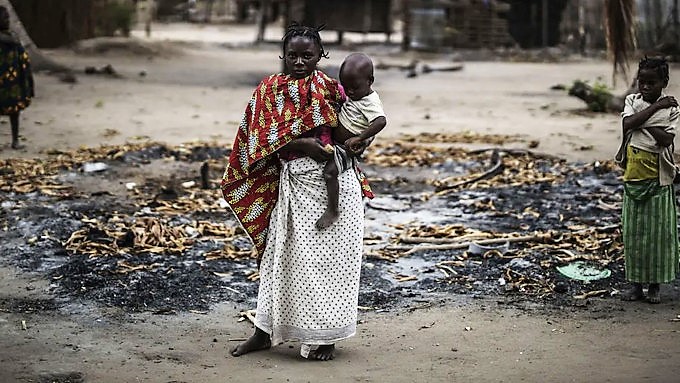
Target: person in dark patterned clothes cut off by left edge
16,79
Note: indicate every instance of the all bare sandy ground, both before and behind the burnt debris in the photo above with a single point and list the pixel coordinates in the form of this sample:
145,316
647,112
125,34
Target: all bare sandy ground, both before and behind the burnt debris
191,83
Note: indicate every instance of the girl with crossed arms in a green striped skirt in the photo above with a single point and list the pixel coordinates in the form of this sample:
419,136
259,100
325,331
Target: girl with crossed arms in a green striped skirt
650,236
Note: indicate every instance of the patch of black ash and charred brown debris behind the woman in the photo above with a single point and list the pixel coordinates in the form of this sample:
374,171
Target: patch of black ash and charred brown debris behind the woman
86,236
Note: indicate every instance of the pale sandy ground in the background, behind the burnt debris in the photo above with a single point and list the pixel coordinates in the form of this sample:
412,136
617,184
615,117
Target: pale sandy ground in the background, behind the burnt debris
199,93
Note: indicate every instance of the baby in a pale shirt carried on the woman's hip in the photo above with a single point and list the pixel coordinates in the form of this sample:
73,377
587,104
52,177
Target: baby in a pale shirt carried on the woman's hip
361,117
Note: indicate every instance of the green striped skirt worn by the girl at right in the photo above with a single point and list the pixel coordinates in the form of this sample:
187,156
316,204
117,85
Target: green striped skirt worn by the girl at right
650,235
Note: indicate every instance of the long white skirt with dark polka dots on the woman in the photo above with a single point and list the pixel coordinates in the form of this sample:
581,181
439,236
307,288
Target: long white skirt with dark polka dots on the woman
309,278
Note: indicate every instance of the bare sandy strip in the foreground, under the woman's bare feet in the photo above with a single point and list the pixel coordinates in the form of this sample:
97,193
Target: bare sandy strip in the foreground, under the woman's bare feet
477,341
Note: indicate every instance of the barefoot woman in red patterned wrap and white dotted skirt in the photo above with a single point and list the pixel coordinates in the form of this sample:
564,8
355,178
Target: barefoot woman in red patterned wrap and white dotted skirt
309,278
